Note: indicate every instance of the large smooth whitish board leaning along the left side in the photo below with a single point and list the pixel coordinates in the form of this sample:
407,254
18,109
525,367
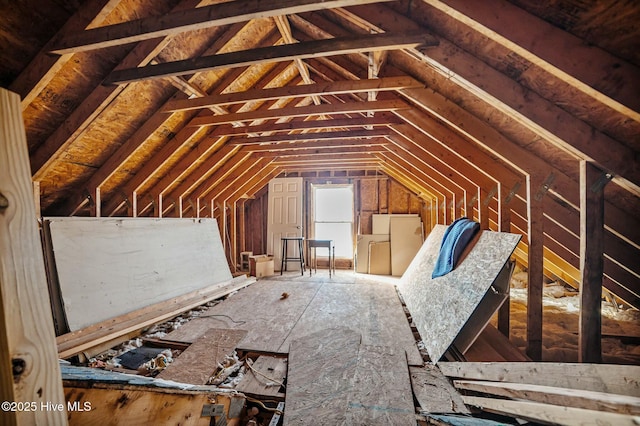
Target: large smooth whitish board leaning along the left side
112,266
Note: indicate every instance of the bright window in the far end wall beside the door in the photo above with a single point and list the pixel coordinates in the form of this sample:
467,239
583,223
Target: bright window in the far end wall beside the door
333,216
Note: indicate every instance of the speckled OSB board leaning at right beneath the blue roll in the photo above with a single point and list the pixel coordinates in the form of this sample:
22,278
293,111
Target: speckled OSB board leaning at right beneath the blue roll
440,307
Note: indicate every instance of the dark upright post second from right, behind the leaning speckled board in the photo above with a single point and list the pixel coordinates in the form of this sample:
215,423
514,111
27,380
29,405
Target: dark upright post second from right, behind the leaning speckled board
535,194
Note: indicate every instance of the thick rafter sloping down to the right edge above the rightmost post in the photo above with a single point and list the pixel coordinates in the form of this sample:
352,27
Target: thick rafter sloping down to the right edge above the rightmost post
516,101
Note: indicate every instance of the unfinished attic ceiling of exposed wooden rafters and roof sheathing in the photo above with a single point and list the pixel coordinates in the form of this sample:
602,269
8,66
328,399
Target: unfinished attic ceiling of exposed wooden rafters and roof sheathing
485,109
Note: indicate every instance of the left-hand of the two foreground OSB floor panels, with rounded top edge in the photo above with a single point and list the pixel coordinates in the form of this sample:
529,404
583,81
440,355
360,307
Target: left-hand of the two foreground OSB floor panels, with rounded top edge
321,367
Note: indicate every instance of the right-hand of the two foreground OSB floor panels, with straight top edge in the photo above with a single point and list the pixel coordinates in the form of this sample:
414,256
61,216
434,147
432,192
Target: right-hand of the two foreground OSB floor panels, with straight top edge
380,393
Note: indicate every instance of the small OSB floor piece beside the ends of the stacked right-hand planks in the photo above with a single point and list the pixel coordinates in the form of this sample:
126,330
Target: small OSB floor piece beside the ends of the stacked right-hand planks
433,391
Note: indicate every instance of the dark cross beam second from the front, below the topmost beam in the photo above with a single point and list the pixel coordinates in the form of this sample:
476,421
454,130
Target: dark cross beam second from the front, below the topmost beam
289,52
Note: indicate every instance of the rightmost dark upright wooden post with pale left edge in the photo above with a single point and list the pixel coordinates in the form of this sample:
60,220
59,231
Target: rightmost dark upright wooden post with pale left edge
592,182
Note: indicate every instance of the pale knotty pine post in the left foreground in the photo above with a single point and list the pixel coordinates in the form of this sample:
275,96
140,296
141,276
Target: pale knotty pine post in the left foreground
28,353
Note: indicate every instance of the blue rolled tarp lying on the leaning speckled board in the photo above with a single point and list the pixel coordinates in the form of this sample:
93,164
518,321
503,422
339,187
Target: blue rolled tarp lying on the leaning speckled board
455,239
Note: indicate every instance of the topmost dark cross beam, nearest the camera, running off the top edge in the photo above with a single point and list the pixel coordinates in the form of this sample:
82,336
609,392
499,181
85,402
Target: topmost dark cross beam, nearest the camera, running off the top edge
189,20
